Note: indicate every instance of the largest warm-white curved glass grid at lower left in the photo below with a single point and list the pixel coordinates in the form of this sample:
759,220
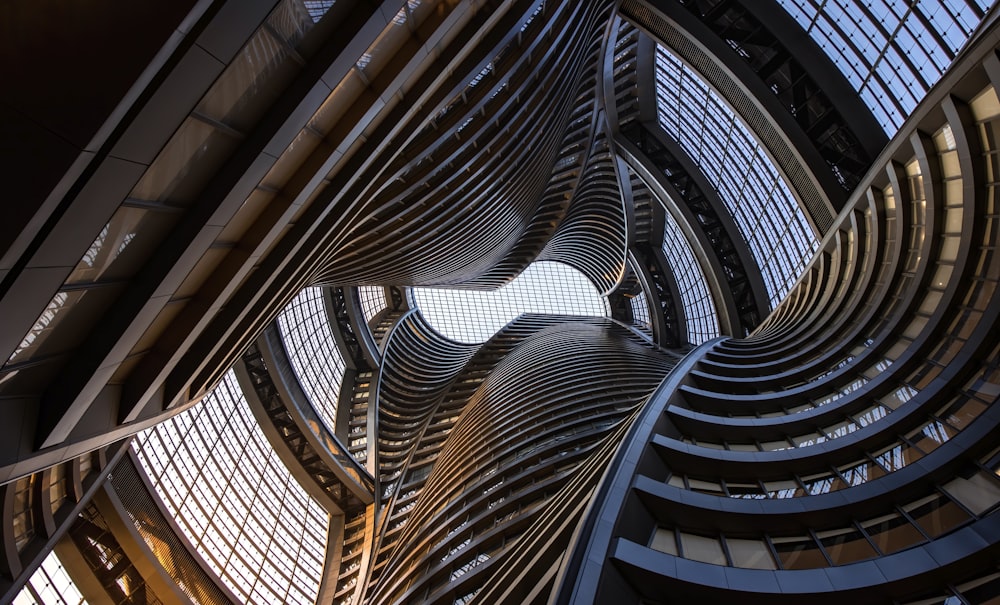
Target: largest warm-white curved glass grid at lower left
233,499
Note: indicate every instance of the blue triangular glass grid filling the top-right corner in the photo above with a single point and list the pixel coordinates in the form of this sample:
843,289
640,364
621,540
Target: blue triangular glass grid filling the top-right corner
891,52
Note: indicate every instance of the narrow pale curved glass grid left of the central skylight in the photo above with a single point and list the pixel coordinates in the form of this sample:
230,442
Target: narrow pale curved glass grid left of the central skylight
318,364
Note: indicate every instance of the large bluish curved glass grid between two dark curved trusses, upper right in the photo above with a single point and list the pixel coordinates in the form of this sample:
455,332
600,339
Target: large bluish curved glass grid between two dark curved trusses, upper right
775,228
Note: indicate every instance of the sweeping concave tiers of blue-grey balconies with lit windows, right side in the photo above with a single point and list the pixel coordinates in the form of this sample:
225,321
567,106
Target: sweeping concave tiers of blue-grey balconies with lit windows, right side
734,491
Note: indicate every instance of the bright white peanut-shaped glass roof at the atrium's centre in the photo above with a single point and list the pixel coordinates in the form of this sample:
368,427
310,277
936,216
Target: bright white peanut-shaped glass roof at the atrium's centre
473,316
